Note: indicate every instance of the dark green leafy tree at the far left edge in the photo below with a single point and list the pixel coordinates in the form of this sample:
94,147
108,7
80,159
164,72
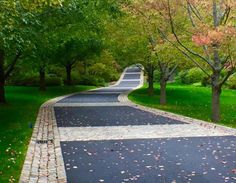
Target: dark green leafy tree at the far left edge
18,18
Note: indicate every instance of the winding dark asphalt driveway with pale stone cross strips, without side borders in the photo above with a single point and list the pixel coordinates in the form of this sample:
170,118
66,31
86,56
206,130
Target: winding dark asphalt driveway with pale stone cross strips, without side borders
104,140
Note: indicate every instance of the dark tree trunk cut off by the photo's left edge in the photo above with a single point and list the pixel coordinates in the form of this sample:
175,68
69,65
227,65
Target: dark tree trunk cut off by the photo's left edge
2,78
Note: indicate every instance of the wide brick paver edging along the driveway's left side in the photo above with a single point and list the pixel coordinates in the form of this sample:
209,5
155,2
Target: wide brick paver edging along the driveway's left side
44,162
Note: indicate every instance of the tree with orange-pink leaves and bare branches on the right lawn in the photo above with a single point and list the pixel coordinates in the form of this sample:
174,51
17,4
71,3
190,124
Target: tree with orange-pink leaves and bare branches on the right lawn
214,33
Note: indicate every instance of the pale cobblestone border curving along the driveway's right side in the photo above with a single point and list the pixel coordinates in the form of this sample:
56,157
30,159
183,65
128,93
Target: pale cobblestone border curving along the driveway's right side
123,98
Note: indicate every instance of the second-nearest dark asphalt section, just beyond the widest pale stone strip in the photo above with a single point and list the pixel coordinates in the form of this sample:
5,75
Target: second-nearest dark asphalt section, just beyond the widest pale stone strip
108,116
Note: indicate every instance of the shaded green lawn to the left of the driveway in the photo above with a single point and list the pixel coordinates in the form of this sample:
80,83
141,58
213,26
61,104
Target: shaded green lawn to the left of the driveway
15,119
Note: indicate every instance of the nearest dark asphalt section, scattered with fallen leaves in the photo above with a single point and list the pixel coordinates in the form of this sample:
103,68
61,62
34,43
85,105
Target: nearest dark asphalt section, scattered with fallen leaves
181,160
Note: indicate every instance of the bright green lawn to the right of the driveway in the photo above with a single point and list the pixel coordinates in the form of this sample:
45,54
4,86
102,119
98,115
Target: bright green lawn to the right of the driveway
190,101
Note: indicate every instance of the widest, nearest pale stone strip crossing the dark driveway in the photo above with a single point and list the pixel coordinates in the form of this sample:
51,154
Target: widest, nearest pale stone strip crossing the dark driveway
134,132
